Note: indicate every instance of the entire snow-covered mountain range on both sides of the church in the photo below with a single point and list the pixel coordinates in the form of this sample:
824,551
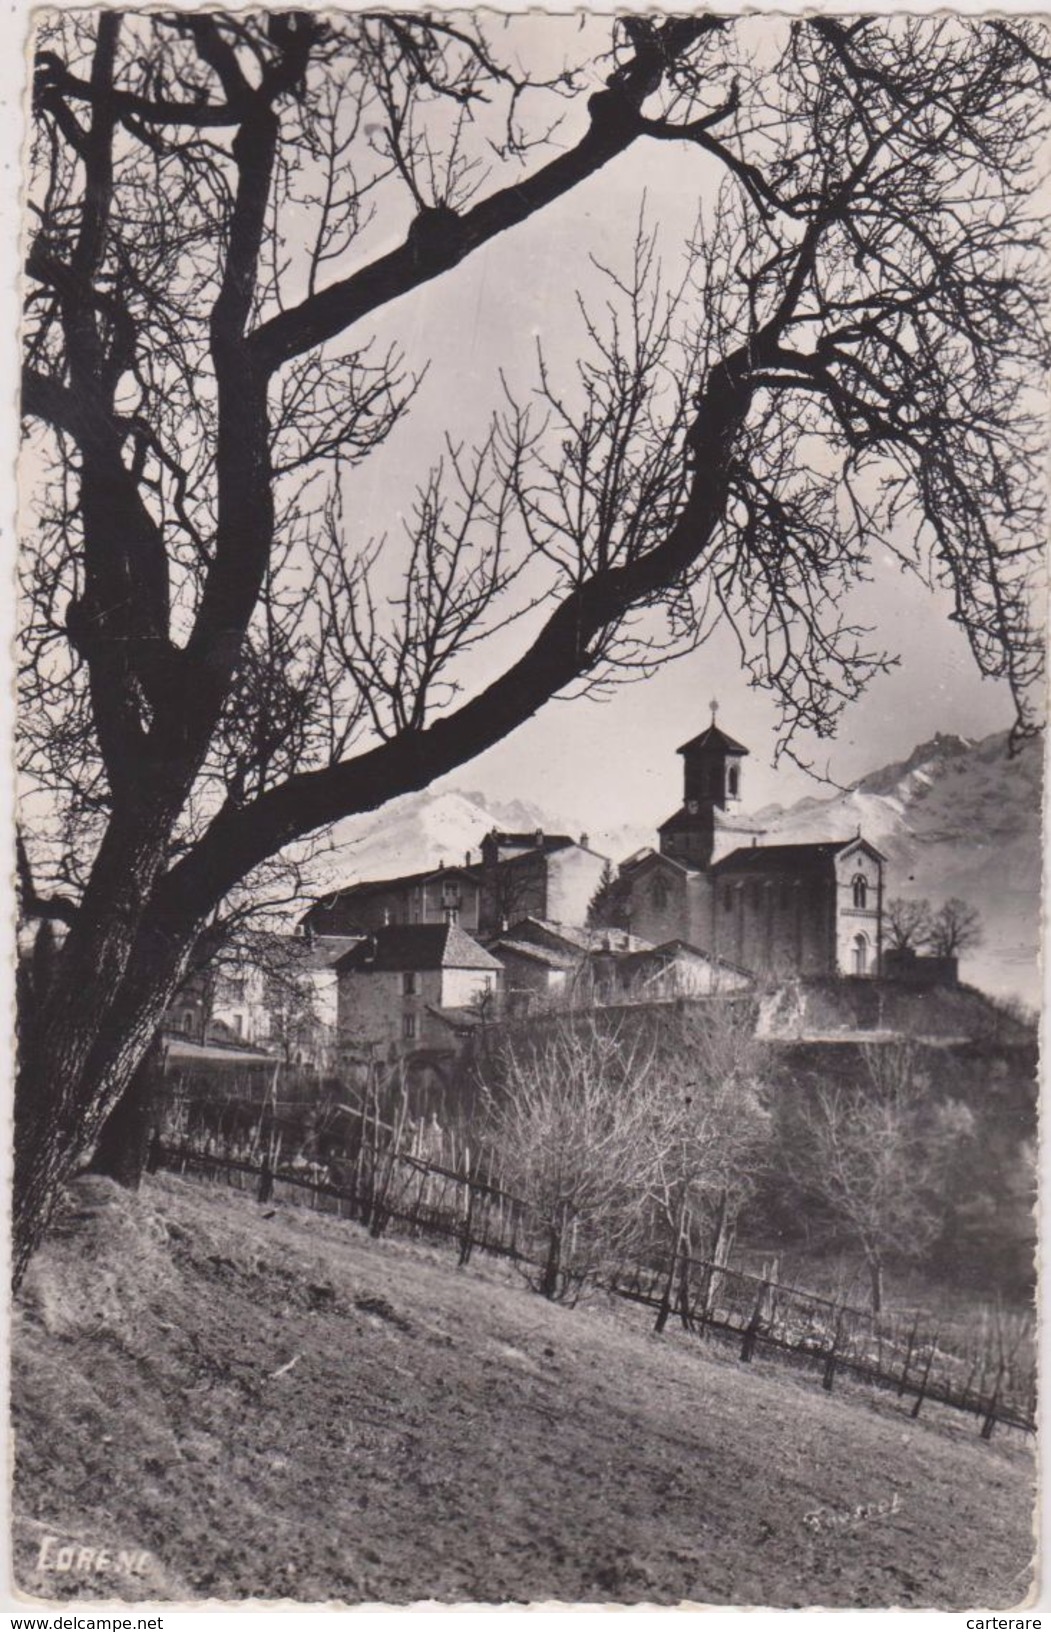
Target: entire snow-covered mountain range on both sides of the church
956,818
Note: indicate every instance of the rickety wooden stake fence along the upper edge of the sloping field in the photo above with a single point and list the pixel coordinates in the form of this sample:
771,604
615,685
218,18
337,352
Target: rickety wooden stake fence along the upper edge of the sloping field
996,1381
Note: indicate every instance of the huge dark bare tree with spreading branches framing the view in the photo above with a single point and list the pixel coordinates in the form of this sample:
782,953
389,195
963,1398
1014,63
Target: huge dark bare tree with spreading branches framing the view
213,660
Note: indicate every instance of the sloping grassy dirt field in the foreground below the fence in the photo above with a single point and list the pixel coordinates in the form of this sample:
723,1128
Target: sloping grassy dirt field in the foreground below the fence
220,1401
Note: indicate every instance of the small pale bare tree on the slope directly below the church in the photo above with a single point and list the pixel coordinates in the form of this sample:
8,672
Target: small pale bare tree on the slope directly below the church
877,1156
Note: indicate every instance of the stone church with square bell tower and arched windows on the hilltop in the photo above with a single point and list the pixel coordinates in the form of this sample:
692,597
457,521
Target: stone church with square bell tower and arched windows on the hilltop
774,910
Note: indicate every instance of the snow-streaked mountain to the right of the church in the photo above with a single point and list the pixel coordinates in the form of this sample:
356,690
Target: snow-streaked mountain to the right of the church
956,818
